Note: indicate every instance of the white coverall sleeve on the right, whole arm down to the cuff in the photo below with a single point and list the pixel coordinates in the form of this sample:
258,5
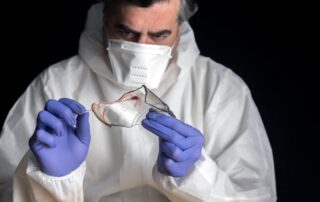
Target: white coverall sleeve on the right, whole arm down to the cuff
236,162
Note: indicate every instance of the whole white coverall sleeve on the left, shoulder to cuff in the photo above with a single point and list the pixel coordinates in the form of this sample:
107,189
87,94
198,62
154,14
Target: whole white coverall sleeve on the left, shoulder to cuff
27,182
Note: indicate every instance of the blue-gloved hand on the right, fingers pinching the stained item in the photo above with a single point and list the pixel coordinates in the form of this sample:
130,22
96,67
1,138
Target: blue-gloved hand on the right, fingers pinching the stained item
179,144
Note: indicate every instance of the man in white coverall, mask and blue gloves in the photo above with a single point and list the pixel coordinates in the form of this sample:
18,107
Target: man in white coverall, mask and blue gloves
216,148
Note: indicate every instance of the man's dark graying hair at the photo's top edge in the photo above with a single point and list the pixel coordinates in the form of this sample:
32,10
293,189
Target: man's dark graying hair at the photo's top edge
187,7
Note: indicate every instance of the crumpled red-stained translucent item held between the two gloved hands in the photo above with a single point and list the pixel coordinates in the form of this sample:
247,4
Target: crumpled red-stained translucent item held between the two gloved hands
130,109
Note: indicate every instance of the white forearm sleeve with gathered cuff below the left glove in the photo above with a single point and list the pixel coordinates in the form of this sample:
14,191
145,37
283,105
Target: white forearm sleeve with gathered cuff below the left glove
32,184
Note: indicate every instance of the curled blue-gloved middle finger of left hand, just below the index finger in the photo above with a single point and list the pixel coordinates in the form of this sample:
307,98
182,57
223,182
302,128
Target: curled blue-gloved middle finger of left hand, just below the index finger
61,111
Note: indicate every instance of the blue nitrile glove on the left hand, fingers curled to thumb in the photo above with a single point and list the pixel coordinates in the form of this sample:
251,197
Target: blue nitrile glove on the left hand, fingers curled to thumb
61,139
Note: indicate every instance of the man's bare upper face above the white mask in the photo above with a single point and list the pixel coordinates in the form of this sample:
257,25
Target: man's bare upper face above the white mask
156,24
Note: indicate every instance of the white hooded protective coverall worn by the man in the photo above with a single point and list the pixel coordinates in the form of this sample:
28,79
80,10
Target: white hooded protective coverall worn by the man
236,162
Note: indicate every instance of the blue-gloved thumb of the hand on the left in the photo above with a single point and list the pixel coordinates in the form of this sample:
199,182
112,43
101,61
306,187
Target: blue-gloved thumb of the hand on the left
83,128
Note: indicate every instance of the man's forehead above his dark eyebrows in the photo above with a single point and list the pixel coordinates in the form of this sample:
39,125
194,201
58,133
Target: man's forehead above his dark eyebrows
159,13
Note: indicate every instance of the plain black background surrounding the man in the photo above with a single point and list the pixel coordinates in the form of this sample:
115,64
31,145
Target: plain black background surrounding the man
271,45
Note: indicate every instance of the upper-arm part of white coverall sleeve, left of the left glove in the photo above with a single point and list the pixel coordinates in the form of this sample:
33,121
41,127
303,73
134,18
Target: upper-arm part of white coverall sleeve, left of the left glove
17,128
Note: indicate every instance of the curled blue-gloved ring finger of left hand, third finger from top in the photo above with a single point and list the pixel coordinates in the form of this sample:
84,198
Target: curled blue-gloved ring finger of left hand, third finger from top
46,120
